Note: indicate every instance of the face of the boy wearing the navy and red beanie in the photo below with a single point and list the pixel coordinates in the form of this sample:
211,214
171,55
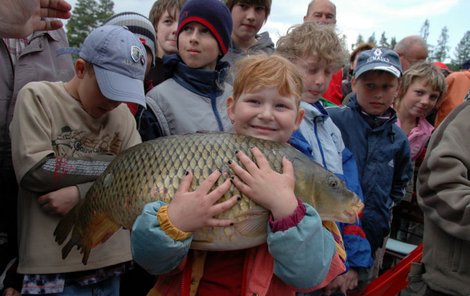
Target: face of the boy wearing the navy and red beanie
198,47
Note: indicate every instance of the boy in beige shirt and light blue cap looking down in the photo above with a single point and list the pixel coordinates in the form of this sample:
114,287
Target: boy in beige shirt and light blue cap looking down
63,136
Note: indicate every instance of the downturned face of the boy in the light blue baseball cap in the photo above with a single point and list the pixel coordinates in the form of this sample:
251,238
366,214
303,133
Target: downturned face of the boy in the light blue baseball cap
91,98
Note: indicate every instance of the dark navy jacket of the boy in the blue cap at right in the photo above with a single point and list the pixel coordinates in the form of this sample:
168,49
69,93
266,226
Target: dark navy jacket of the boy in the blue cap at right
382,155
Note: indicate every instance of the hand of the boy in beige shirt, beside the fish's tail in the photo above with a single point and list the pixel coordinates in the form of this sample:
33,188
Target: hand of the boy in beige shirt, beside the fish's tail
61,201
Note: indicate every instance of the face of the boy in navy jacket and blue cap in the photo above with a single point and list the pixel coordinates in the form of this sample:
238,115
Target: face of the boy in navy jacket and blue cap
375,90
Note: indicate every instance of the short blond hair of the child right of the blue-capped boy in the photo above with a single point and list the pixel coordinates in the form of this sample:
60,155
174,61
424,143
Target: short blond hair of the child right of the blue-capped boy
427,72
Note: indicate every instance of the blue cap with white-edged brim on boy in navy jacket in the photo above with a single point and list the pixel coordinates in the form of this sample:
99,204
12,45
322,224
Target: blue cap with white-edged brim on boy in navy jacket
383,59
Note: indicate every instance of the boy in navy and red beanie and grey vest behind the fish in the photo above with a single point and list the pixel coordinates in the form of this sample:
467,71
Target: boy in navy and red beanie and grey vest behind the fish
194,98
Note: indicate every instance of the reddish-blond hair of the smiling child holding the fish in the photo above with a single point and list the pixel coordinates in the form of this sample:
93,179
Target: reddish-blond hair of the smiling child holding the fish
263,70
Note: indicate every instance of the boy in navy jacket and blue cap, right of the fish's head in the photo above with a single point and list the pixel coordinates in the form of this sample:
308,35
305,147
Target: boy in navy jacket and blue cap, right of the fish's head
379,146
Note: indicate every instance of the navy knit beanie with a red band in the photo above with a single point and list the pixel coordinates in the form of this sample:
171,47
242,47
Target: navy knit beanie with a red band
214,15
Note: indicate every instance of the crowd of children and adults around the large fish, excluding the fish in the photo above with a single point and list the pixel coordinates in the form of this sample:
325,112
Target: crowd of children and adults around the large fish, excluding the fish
201,66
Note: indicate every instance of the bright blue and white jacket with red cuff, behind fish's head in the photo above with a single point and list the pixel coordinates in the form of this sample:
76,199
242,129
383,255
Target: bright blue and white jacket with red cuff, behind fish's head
326,147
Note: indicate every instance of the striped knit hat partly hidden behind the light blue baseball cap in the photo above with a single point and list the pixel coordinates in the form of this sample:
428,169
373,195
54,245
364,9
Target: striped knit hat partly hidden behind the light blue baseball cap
139,25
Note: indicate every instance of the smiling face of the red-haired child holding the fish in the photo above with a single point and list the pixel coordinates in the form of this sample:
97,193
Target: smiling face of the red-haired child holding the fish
264,113
